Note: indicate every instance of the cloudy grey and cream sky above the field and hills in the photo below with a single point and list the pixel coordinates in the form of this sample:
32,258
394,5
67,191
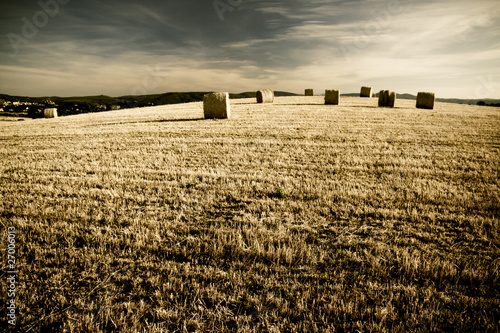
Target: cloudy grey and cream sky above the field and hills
92,47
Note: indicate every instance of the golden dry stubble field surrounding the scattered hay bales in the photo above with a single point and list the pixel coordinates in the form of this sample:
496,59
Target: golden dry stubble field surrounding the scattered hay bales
291,217
